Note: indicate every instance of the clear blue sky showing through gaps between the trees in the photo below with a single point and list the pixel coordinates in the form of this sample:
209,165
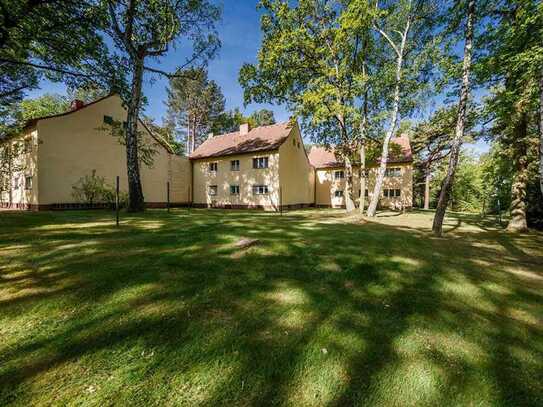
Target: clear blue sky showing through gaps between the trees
239,31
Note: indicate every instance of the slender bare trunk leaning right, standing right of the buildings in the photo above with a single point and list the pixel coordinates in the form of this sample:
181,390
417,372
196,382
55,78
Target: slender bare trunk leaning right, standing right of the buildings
444,195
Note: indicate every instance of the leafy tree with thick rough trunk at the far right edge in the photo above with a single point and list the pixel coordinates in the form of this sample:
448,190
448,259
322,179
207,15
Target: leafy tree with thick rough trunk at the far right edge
512,64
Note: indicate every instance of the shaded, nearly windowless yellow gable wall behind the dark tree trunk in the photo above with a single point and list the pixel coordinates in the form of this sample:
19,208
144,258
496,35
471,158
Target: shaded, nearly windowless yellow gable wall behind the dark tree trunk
77,144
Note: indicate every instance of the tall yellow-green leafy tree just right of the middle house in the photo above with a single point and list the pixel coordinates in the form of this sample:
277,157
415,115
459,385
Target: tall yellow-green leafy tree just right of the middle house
309,60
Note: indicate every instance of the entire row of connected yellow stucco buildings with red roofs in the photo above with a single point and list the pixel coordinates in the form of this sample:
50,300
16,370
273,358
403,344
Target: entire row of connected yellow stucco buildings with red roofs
266,167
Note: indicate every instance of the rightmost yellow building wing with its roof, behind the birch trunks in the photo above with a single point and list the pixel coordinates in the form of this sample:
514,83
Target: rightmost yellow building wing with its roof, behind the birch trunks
397,191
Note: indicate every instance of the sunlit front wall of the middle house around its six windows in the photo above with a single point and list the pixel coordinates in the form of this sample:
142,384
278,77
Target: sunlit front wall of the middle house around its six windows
246,177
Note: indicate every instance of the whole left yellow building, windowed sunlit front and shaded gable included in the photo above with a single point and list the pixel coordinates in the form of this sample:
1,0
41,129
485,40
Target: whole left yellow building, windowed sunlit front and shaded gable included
59,150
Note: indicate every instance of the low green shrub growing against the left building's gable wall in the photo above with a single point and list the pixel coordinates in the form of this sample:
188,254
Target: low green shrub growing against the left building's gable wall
93,189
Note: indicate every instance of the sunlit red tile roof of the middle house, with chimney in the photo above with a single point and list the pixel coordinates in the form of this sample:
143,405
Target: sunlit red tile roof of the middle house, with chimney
264,138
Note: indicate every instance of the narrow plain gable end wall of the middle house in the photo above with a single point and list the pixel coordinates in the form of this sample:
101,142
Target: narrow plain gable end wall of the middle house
297,176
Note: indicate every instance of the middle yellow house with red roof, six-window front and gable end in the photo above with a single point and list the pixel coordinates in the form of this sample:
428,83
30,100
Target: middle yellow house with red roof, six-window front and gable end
266,167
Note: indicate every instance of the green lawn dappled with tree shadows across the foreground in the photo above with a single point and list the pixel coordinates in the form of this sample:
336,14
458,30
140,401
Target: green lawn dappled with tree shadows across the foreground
326,310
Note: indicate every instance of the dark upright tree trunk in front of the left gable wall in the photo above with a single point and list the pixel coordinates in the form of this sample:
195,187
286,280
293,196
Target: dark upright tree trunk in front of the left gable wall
136,201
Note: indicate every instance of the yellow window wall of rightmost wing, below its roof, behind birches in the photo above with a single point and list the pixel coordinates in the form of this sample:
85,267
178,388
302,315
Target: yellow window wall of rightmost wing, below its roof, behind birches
326,185
